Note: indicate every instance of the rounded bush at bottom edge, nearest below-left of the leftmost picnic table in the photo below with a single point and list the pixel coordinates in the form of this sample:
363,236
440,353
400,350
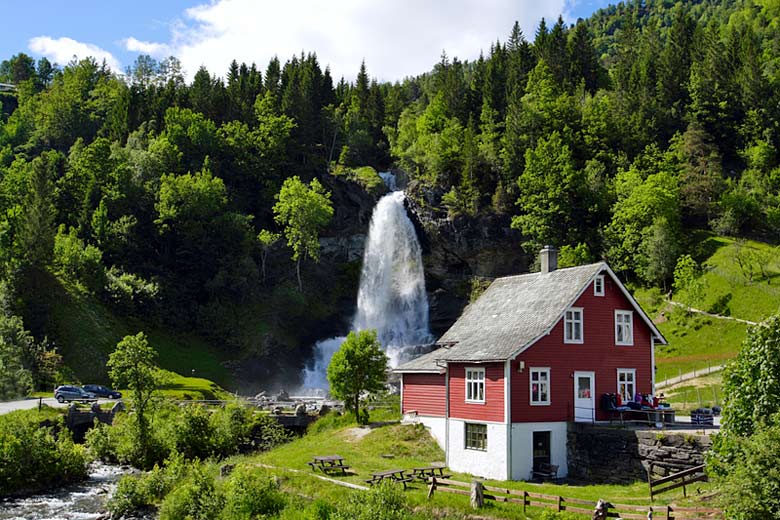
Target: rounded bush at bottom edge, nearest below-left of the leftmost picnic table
250,494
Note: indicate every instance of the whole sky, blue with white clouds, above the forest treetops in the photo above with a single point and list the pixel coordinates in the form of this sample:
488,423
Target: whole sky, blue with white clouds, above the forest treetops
396,38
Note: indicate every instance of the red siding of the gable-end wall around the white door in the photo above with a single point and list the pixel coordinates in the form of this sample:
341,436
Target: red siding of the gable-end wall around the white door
597,354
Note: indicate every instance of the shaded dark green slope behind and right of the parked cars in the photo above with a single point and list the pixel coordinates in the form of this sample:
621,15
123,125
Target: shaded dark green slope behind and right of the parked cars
87,333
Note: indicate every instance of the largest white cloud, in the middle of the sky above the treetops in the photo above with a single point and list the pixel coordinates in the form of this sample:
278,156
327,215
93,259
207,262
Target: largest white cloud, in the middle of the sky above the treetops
396,38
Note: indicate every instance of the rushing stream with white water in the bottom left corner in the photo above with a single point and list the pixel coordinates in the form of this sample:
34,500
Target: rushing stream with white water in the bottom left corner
83,501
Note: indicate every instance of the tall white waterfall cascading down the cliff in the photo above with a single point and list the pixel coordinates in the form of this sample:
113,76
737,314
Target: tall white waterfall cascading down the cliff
391,298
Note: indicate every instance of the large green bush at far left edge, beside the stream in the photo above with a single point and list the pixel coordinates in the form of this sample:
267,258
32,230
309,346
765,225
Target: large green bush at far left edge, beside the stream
36,455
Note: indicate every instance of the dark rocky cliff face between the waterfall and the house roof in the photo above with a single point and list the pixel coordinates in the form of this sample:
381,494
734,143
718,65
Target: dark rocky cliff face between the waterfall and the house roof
458,251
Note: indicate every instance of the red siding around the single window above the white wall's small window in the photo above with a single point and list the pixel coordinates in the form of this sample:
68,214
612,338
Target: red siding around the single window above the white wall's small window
493,407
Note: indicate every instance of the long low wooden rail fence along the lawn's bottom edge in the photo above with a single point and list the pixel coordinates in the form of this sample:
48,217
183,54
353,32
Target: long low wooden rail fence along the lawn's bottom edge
573,505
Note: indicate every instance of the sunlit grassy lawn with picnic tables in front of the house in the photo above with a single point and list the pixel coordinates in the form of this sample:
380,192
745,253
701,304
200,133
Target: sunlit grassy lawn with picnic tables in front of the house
366,450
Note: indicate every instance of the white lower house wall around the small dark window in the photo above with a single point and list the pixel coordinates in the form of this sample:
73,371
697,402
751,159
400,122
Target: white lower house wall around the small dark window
491,463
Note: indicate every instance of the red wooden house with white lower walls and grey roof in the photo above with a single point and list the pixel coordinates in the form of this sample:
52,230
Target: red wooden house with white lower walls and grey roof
530,356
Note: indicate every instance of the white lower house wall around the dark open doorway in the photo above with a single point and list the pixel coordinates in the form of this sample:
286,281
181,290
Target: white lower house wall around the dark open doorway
522,447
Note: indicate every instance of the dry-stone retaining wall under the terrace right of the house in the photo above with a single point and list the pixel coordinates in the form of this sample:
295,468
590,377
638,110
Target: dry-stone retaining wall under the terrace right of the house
601,454
